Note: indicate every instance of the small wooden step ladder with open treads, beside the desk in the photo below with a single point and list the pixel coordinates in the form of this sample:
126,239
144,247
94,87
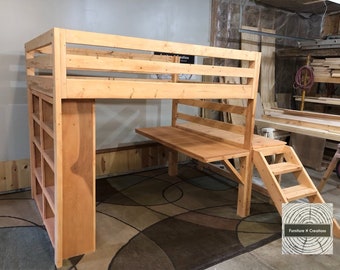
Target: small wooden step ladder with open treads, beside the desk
286,161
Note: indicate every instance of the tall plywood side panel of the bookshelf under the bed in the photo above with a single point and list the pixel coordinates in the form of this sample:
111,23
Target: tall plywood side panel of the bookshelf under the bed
78,174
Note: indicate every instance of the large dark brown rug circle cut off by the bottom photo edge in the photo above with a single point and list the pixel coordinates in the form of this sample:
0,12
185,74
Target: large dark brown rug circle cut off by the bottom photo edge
177,244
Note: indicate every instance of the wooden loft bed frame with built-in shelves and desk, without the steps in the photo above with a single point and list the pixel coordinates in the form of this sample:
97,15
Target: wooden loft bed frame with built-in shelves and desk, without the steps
67,70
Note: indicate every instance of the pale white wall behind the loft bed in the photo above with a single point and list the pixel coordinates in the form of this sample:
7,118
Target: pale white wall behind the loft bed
21,20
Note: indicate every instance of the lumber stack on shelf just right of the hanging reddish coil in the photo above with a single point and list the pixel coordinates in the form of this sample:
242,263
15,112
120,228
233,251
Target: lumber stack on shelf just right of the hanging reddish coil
327,67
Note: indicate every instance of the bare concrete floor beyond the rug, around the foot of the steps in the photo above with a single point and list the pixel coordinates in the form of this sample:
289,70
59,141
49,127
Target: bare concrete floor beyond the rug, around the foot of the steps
270,256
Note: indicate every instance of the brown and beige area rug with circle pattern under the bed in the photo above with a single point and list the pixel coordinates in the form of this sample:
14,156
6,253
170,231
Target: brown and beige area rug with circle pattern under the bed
147,220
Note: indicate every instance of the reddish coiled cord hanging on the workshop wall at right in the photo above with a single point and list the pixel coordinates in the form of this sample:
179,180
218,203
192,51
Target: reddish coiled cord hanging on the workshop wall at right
304,80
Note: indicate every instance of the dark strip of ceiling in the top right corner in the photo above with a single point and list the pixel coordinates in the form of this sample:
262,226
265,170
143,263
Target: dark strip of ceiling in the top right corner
303,6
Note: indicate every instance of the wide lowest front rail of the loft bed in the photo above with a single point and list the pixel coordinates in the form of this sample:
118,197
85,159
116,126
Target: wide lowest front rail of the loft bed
156,89
